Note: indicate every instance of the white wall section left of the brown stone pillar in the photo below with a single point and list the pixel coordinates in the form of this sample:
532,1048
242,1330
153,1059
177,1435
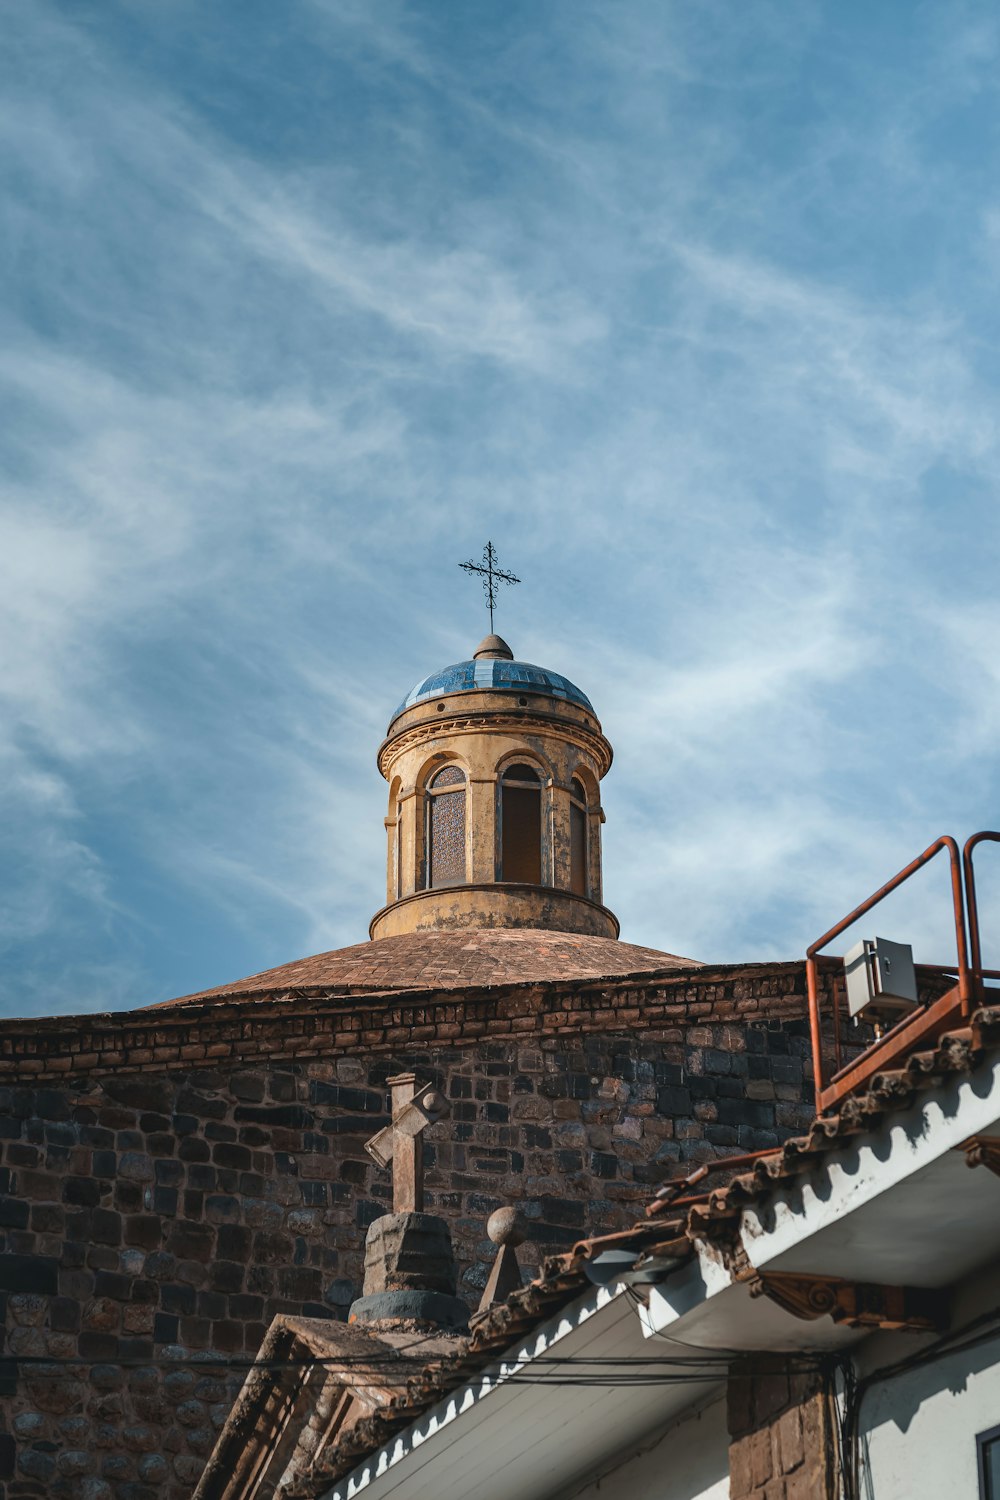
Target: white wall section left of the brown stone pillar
686,1460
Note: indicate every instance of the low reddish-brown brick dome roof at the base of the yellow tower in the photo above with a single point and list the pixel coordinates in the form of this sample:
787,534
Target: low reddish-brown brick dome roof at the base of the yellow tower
439,961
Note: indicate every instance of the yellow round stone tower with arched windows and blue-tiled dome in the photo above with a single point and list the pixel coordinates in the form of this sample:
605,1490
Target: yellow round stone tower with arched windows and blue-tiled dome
494,773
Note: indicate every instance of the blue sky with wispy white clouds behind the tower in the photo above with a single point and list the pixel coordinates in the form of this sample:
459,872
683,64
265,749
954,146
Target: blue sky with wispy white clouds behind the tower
690,308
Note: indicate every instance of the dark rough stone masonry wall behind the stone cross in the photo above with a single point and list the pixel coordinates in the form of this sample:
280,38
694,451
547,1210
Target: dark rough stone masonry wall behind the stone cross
155,1220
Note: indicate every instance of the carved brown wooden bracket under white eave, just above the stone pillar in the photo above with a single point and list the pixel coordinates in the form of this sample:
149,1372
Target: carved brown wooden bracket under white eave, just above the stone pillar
857,1304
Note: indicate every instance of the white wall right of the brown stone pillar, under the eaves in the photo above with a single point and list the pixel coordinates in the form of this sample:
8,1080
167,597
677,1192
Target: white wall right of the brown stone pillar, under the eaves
920,1430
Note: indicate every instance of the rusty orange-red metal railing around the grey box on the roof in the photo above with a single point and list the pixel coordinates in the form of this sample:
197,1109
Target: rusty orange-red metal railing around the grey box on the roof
960,998
